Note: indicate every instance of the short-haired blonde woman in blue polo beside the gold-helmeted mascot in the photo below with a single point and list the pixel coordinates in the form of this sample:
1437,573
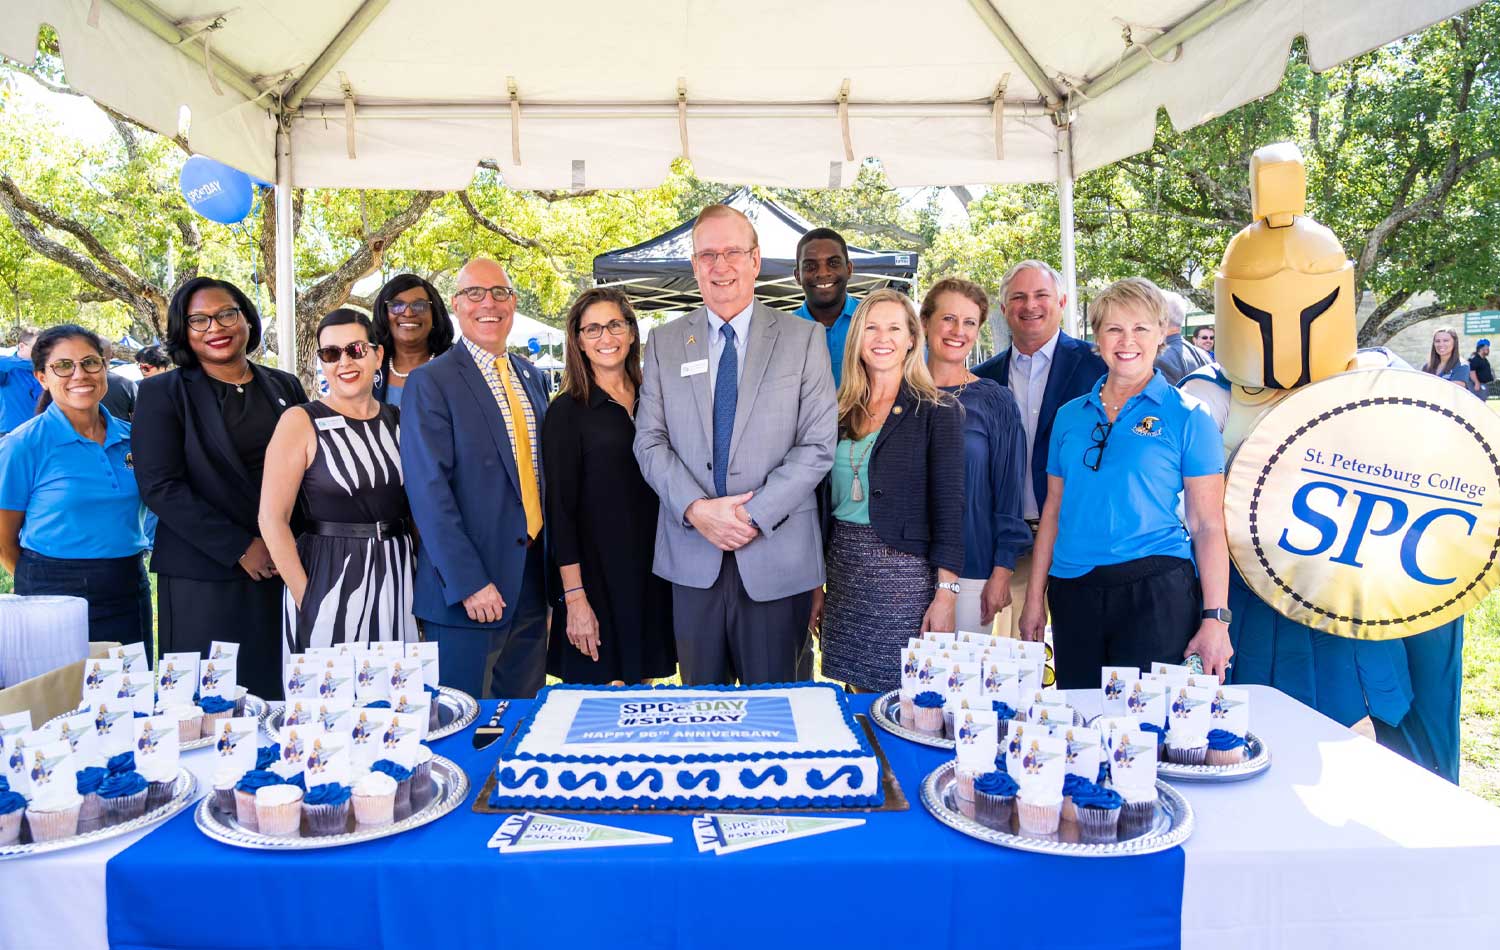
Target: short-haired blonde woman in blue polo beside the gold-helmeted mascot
1112,558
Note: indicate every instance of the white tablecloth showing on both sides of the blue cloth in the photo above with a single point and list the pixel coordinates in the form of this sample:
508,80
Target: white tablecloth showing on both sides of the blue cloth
1340,846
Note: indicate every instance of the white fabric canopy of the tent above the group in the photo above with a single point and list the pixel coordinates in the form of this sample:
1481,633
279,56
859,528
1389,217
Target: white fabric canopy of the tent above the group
598,82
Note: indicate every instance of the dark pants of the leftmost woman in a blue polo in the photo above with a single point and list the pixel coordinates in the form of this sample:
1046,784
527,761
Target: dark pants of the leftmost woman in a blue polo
118,592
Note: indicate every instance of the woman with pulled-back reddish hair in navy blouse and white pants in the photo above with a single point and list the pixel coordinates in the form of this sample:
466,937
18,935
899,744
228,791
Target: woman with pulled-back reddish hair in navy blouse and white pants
994,451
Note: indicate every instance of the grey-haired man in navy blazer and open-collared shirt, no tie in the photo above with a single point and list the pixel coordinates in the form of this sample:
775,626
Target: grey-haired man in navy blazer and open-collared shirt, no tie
1043,368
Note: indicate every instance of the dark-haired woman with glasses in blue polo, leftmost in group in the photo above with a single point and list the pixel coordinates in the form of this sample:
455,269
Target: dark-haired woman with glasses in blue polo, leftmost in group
71,519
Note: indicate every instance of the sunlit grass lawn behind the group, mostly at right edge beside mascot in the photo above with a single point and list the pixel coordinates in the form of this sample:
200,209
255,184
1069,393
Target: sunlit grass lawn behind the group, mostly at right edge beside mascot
1481,714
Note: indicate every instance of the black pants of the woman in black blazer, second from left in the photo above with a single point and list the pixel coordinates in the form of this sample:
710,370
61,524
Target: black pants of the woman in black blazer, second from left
193,613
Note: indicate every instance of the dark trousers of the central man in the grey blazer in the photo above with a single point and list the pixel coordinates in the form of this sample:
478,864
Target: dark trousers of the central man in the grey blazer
724,636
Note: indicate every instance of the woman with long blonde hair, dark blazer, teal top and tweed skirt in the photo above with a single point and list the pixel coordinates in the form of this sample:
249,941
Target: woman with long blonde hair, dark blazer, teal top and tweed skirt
896,495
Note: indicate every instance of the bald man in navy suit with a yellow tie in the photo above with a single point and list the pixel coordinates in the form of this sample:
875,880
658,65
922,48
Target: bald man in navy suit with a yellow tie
470,425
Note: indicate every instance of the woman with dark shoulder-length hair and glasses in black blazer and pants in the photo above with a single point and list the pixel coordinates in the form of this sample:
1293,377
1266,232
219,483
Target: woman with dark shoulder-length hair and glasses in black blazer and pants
200,442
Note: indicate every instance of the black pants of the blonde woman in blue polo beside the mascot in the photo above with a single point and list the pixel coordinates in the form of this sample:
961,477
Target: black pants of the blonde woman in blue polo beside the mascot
1124,615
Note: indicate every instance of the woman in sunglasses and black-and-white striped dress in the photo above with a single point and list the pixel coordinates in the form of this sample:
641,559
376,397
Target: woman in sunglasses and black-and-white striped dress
349,577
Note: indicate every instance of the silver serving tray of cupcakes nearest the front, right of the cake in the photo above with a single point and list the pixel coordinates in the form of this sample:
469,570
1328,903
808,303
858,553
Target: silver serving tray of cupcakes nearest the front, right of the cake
1171,826
